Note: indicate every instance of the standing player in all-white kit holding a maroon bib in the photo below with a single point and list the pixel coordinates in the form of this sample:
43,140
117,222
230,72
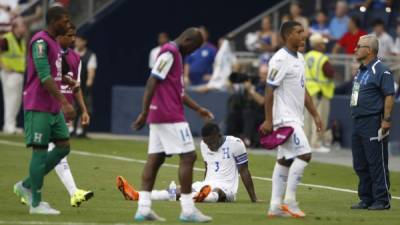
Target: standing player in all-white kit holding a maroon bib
285,98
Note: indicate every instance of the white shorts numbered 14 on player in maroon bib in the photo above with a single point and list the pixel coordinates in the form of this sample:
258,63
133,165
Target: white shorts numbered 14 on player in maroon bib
170,138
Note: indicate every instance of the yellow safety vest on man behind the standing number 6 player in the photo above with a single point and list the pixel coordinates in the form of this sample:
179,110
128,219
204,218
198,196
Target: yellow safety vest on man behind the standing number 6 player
316,79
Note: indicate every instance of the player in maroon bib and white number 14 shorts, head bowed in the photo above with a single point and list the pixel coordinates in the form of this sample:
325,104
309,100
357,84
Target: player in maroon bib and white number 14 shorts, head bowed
170,134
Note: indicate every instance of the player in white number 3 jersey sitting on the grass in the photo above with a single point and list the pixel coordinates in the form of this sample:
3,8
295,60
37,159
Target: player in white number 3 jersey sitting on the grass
225,157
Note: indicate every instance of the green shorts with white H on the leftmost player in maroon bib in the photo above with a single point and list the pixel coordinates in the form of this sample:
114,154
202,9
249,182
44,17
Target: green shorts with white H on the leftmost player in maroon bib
41,128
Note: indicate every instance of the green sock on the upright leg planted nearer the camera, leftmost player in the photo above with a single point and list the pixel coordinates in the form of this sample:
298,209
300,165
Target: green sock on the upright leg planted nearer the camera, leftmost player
36,175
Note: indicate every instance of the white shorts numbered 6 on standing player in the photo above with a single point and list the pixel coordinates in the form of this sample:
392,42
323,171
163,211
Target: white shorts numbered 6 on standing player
296,145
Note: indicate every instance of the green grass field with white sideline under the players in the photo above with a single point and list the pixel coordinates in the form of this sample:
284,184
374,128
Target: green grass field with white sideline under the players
109,158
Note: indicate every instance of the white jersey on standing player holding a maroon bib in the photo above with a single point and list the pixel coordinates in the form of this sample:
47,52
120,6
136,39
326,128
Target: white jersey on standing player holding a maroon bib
286,73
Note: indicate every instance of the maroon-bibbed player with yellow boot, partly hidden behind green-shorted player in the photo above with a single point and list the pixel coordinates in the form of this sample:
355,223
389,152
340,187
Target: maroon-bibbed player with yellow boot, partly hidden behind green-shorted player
71,67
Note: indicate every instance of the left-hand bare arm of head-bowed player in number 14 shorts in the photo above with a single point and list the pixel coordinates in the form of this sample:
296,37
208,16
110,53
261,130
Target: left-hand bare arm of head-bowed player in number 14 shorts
148,95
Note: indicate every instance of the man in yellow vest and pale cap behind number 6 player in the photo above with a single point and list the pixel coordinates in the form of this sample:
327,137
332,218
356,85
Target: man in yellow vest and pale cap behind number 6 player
320,86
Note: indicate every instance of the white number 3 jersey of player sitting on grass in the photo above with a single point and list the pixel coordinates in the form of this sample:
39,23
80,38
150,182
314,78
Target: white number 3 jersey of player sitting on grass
222,164
